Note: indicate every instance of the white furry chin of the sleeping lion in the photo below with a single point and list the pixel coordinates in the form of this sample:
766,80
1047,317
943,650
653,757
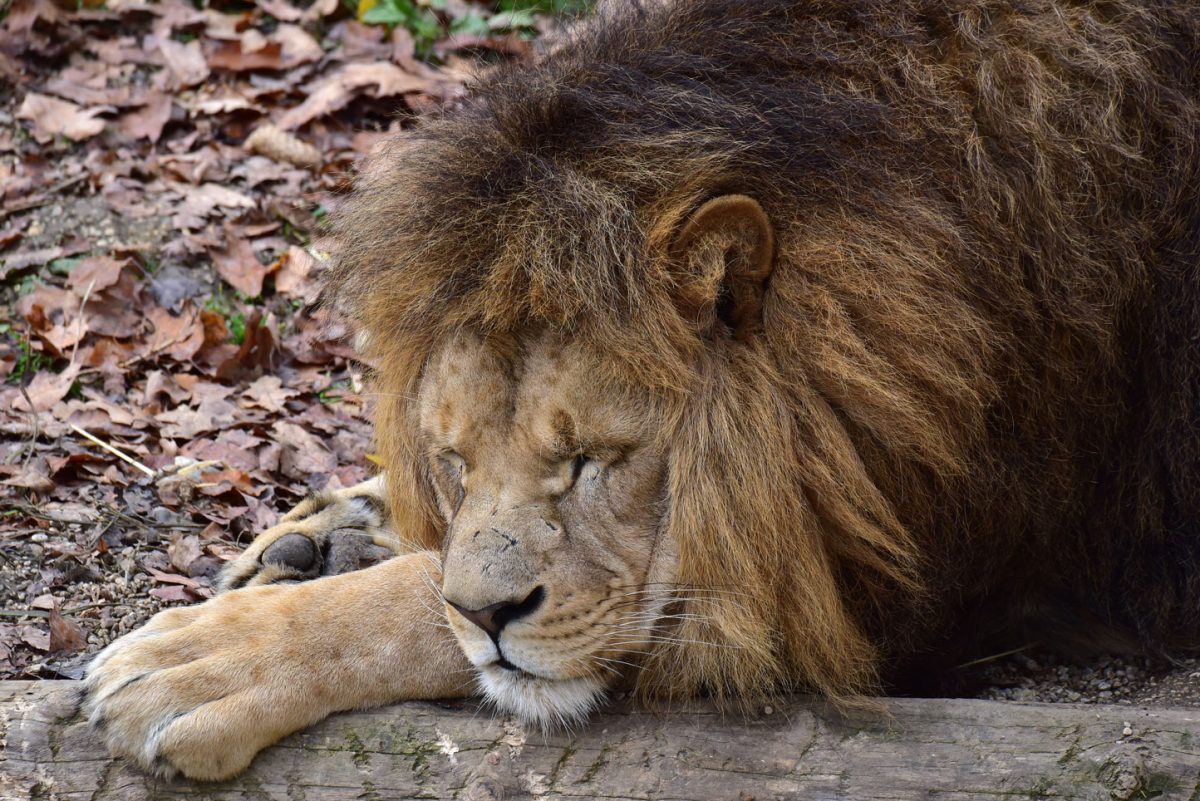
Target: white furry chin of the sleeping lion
547,703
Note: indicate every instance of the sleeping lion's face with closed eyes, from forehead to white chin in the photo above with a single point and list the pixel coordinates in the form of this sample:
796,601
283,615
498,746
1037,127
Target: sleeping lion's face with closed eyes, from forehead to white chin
554,501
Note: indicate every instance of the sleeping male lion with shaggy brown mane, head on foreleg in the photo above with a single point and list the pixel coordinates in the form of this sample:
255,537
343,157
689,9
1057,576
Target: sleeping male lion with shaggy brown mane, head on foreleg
742,347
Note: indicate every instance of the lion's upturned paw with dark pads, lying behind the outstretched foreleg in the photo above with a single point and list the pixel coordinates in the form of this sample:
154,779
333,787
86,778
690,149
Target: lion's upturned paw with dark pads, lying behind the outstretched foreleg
328,534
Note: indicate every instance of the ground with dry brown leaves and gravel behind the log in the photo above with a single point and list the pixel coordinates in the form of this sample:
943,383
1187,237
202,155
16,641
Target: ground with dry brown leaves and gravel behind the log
170,389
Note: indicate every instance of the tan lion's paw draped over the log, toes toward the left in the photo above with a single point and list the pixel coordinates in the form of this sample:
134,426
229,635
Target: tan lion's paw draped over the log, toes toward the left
195,691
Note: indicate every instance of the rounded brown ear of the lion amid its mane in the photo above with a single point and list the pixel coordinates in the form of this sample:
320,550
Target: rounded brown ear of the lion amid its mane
725,252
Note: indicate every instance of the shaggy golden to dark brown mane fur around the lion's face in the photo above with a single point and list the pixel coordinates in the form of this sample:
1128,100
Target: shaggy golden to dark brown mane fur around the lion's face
977,390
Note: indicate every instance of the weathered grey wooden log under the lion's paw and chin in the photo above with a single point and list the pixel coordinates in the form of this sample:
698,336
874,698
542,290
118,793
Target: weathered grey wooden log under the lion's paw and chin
953,750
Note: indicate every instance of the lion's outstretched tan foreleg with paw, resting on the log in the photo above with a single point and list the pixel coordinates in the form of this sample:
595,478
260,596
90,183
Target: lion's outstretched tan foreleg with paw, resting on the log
201,690
